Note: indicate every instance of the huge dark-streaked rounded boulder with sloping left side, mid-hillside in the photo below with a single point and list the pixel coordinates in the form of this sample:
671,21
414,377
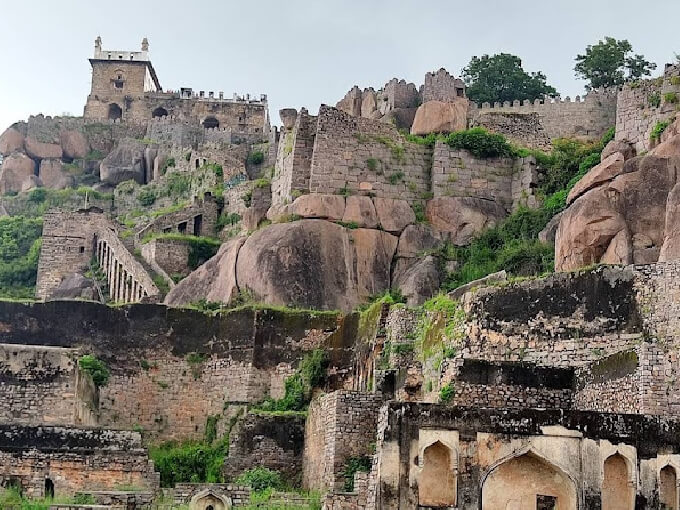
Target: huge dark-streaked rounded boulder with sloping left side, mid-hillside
308,263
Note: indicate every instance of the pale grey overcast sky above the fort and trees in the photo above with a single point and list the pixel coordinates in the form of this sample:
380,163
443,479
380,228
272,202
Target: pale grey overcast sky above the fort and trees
304,53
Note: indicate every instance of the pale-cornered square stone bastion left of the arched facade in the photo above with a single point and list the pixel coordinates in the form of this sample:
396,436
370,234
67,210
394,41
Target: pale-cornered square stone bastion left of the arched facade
340,425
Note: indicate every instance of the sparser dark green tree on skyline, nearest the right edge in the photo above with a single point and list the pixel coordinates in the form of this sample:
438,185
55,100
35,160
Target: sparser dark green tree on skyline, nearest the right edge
609,63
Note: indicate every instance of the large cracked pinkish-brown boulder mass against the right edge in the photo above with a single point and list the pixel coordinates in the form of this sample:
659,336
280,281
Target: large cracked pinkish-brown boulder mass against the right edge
623,212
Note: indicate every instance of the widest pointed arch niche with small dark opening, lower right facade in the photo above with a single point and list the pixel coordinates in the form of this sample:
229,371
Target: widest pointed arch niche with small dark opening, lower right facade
528,482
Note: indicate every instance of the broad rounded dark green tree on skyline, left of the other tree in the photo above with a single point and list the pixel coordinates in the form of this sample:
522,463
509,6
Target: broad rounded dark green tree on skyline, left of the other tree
501,78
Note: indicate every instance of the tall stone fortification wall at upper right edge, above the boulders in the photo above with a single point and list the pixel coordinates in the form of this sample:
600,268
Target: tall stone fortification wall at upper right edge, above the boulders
641,105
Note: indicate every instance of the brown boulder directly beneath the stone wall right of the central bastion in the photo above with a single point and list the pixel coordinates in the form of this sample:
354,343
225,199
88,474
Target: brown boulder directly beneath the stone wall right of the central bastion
462,218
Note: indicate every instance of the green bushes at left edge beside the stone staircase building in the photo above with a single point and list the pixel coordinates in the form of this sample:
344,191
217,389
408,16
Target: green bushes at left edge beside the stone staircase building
20,241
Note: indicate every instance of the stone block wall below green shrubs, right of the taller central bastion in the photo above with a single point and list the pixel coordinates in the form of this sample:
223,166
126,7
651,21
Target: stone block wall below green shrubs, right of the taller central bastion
507,181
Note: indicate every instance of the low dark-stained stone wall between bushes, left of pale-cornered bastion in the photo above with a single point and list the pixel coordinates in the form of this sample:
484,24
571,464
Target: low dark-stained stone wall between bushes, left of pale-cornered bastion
274,442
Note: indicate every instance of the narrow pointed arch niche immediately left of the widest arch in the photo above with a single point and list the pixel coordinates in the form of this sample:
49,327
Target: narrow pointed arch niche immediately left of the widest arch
437,479
